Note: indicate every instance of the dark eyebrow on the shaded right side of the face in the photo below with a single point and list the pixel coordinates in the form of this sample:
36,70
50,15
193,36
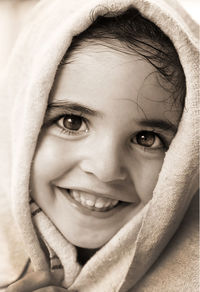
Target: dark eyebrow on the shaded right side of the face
159,124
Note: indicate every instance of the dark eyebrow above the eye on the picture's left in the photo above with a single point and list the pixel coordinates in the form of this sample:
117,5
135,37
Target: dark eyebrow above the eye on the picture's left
73,107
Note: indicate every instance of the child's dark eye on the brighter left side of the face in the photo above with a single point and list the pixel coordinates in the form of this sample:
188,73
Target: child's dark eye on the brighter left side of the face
73,123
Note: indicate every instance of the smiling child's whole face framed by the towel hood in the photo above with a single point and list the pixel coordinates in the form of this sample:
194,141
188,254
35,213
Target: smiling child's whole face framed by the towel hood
108,125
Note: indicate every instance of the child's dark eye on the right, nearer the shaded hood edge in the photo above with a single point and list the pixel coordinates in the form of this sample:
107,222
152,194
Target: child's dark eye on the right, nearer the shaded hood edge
148,139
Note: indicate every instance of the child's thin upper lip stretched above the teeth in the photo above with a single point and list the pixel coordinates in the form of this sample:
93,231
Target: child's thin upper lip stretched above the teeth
101,193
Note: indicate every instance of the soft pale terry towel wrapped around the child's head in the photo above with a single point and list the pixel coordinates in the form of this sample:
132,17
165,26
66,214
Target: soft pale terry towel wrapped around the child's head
124,260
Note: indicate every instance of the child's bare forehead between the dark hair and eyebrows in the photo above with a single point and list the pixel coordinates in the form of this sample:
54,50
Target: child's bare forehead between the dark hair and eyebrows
101,76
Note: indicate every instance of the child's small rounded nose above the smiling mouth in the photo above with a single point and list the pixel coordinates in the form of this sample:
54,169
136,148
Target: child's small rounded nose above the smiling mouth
105,161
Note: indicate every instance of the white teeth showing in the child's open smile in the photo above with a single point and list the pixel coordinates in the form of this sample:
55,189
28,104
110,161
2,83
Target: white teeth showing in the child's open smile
92,201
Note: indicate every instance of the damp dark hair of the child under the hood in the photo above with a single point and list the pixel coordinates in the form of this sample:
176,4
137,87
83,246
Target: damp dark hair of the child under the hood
139,35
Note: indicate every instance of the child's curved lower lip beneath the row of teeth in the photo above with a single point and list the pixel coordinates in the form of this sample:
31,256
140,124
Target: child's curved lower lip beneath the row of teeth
88,212
